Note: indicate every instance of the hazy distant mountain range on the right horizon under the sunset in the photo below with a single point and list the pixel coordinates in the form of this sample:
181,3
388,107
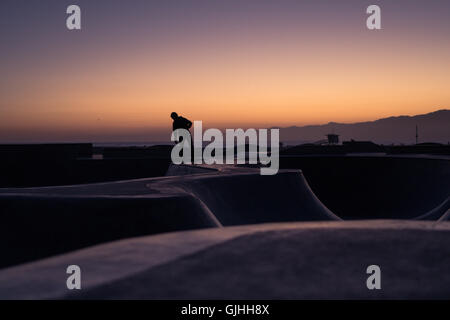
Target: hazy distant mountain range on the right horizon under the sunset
432,127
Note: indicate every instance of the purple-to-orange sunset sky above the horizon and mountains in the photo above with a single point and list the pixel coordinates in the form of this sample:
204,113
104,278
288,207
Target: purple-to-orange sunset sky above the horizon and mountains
229,63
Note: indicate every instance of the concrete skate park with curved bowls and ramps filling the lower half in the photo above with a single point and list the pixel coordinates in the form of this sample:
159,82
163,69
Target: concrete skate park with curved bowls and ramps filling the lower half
233,208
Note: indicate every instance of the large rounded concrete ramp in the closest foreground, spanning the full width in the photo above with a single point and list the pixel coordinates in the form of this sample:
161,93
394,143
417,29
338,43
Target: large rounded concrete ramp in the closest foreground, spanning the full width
315,260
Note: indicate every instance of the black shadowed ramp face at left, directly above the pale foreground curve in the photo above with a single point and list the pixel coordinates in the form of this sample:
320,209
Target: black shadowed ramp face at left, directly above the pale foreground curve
37,226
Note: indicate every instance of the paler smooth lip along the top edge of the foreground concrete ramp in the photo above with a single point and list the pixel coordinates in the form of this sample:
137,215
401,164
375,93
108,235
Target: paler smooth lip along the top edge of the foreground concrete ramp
105,263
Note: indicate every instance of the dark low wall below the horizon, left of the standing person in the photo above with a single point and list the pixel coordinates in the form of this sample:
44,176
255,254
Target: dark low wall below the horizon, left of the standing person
35,165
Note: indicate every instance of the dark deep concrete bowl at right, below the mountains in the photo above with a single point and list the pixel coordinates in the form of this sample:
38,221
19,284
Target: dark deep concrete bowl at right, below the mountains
375,187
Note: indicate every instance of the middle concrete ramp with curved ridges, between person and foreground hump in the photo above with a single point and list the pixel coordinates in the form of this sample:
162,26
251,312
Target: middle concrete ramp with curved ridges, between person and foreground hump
61,219
